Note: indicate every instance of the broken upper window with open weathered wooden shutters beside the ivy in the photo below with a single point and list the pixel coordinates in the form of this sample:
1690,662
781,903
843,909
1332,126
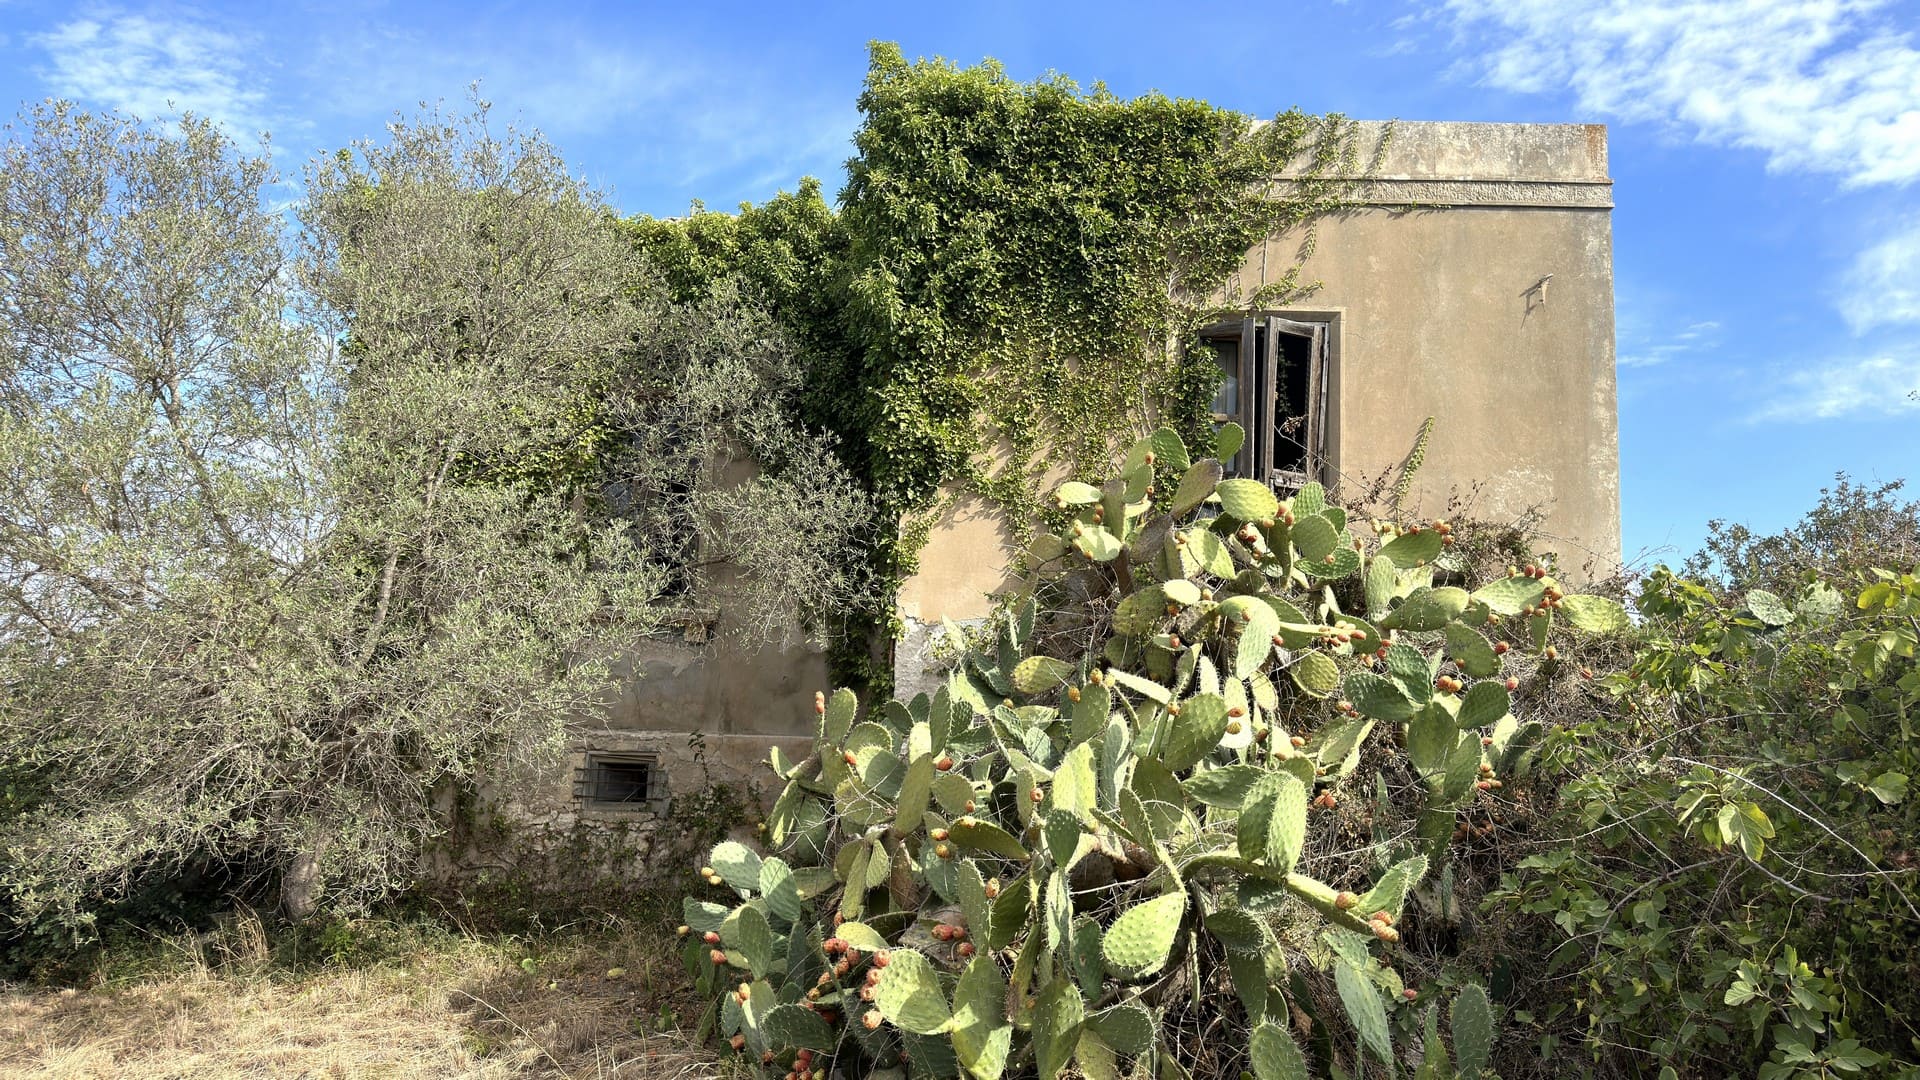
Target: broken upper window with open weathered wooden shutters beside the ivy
1276,387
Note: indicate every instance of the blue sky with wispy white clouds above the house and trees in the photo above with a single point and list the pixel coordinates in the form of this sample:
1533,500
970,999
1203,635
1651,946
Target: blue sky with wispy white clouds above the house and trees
1765,155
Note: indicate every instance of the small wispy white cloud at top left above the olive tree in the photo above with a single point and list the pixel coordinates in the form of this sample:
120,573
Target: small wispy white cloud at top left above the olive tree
156,68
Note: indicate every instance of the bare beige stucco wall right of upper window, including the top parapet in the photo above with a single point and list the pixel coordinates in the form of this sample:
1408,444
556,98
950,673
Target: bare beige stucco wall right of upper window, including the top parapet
1441,310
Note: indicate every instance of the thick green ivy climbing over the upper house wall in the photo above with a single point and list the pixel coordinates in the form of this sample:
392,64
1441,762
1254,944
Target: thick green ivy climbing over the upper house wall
1013,274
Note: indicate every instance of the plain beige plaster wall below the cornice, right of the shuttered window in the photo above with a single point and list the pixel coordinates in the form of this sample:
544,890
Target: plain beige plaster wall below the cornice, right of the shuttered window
1437,314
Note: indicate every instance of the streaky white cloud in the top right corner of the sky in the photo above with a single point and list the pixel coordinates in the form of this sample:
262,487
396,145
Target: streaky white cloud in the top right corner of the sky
1817,86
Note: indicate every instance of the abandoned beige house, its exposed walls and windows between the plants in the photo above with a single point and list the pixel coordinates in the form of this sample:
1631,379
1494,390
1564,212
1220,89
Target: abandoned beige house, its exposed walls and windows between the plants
1477,274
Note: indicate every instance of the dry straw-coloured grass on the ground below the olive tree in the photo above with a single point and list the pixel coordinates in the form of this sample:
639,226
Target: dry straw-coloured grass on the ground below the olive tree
590,1008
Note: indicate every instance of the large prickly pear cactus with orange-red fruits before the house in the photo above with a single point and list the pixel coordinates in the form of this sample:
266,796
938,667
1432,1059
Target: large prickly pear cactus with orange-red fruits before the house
1028,871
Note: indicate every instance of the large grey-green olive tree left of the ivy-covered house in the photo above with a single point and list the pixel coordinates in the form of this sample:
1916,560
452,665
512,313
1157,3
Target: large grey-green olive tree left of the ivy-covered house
302,529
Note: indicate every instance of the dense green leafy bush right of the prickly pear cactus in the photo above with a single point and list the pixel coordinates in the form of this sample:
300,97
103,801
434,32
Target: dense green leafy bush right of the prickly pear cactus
1729,883
